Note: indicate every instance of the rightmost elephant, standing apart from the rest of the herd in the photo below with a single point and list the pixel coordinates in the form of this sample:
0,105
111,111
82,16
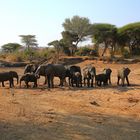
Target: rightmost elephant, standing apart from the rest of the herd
123,74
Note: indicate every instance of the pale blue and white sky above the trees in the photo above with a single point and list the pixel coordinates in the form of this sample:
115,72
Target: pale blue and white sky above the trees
44,18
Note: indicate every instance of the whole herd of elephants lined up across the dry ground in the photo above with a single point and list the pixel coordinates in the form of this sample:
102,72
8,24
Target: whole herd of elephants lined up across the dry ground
86,77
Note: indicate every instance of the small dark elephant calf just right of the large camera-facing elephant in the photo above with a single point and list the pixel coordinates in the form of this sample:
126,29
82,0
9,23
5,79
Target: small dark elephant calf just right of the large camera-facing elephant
101,78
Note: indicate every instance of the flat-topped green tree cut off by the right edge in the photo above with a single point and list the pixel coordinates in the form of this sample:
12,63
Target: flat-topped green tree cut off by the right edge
130,36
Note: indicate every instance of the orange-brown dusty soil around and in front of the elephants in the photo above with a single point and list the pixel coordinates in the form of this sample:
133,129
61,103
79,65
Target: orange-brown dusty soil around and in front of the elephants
101,113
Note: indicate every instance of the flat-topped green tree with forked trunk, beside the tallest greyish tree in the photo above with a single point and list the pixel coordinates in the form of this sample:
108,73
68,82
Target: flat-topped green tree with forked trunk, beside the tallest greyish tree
105,33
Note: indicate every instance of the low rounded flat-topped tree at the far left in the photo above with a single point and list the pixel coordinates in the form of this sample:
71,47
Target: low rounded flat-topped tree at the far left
10,47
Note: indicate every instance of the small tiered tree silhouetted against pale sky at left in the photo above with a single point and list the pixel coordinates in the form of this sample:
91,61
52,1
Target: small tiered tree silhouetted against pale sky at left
29,41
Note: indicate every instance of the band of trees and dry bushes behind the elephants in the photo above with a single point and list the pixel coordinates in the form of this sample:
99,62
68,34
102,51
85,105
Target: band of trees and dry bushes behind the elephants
124,41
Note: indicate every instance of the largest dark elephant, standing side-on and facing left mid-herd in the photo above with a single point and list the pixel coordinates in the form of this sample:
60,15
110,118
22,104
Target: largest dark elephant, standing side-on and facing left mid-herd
51,71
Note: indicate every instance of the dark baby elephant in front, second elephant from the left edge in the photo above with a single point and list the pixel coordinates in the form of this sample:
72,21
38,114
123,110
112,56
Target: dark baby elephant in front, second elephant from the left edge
28,77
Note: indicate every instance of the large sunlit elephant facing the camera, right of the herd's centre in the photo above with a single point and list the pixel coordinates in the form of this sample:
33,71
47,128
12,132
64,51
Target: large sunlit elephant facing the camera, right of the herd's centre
89,73
